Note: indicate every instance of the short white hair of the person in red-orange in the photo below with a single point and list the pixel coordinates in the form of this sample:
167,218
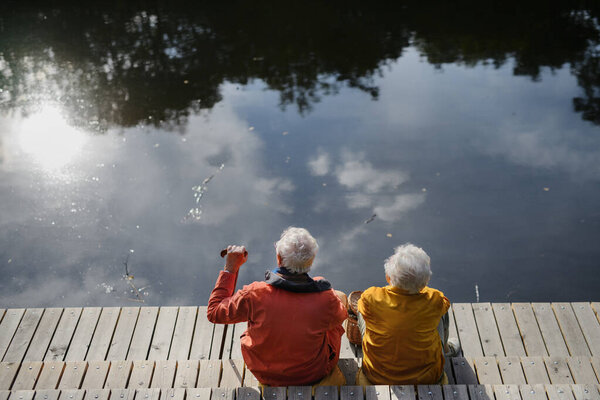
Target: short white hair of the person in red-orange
297,249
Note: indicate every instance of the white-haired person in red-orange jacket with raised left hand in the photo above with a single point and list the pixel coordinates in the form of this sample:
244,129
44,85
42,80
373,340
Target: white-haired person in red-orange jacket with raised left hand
294,321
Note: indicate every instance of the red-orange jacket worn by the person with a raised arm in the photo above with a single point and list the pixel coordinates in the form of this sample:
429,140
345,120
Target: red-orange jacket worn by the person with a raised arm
292,338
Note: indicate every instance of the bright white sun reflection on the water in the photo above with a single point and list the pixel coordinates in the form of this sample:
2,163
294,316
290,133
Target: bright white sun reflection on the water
48,138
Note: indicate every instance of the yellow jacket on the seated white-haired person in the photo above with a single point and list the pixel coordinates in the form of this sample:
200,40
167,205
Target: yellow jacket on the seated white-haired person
401,344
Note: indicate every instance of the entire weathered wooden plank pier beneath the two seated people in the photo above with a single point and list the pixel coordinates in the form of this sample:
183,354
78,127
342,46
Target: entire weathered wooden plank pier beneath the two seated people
518,351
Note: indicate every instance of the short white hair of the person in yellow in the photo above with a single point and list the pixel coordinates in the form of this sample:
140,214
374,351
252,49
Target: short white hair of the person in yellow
408,268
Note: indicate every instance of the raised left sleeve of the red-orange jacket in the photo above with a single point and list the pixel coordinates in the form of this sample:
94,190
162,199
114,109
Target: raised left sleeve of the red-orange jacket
224,307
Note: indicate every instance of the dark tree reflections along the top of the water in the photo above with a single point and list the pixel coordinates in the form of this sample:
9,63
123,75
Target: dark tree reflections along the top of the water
115,64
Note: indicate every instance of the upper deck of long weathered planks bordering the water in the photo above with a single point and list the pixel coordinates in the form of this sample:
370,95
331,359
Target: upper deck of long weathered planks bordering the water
179,333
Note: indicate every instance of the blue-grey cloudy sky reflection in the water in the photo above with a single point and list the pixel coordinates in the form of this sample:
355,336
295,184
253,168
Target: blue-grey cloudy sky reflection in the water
492,174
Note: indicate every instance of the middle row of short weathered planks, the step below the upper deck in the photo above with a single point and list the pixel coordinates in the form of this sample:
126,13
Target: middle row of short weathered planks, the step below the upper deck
142,374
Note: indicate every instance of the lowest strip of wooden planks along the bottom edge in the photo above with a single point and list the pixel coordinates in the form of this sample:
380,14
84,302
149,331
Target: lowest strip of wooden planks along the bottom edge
420,392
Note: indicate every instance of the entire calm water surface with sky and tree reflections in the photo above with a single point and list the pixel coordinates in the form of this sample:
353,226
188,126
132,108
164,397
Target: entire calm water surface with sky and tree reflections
153,134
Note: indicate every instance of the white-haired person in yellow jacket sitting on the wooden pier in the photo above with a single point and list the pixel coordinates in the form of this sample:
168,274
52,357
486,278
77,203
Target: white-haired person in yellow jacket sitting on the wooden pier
404,325
